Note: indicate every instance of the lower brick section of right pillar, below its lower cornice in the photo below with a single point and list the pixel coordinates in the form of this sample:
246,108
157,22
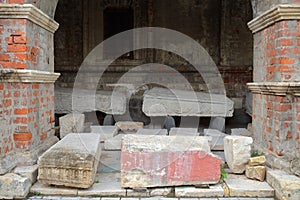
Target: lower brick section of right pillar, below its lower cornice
276,125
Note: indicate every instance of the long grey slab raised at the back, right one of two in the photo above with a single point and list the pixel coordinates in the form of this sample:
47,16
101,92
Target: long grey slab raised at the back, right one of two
186,103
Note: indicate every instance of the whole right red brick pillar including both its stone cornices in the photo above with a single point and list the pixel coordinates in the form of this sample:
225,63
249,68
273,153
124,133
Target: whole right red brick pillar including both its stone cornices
276,85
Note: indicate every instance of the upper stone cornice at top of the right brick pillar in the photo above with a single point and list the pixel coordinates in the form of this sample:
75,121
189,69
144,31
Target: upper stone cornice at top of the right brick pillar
278,13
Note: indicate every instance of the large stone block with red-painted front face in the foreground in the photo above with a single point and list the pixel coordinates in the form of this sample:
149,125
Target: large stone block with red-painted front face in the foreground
155,161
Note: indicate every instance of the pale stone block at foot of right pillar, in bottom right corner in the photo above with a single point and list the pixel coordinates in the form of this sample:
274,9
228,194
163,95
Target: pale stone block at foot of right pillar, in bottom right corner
286,186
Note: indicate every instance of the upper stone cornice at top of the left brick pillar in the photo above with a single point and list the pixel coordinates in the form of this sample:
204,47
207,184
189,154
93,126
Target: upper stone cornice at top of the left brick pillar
30,12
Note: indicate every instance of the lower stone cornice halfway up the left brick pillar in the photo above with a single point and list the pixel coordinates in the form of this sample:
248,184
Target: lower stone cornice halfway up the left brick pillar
27,76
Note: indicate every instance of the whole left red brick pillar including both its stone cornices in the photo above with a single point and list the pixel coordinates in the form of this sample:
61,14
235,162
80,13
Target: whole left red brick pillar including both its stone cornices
26,83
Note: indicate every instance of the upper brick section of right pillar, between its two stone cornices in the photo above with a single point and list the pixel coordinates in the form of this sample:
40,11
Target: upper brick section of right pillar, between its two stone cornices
277,48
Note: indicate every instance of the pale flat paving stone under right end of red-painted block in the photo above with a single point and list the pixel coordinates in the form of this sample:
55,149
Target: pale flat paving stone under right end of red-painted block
212,191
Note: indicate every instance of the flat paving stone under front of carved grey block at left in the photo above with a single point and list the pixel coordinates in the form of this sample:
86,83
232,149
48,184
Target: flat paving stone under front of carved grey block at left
52,190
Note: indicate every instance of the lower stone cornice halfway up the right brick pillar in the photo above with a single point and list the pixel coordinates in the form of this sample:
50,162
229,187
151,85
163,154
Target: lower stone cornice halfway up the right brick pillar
275,88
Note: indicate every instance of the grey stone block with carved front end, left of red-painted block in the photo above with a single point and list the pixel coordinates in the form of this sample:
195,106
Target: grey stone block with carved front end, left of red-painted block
71,162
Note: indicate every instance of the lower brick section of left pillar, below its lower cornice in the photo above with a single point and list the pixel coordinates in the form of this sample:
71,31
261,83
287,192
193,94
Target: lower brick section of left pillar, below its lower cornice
26,112
